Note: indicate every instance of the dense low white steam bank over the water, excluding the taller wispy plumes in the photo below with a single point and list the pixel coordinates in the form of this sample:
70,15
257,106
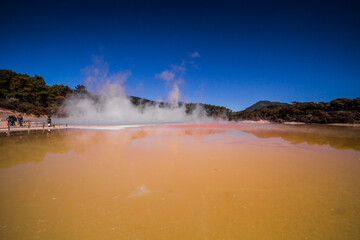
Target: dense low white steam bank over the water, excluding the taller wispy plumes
115,108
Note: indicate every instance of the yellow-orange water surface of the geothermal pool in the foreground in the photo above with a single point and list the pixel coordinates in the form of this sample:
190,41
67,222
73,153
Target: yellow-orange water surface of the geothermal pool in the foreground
248,181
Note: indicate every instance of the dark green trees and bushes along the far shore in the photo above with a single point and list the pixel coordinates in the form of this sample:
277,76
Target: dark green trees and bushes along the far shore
31,95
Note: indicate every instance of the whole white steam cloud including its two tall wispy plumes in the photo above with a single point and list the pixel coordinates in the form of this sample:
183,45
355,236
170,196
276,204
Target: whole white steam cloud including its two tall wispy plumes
110,105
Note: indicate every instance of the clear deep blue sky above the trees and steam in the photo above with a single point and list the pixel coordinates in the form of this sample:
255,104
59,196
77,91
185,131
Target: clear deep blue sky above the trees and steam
249,51
